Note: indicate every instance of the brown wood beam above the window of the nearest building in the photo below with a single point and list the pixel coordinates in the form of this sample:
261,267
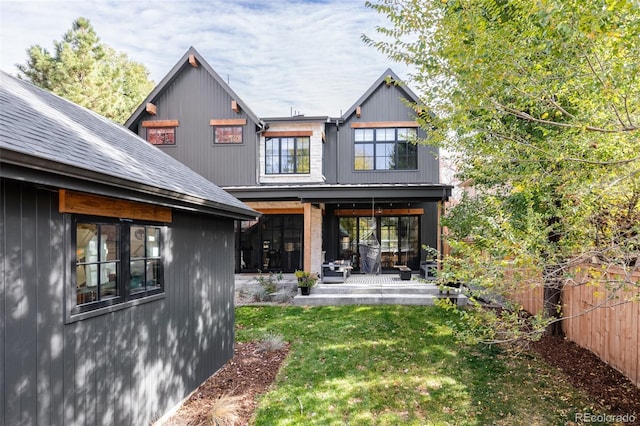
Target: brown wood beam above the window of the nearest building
82,203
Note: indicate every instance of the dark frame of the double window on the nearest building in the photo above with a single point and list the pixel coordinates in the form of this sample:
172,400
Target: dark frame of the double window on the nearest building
125,297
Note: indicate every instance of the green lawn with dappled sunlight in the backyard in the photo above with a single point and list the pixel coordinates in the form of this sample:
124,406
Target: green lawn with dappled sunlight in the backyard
390,365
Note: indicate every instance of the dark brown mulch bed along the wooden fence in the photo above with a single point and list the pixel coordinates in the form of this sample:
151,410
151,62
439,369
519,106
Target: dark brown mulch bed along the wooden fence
586,371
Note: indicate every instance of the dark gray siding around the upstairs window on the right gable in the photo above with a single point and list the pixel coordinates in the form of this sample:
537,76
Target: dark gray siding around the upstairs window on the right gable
384,104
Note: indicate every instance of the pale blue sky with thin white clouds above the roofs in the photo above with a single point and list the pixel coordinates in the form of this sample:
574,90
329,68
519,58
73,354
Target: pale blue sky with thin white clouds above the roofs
279,56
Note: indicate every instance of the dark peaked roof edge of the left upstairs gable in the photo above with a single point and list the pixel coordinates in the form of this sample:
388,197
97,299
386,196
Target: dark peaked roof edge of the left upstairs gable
171,76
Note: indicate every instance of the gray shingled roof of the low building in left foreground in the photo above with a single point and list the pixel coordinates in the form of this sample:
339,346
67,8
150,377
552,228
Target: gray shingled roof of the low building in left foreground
45,133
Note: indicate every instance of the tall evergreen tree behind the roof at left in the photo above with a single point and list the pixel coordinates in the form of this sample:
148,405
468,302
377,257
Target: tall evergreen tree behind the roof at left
89,73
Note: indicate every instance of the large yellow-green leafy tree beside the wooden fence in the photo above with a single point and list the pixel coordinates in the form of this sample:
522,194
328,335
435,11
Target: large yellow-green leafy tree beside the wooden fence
541,103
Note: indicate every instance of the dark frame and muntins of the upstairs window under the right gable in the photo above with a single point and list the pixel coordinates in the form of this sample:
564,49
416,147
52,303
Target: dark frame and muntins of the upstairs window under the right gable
378,144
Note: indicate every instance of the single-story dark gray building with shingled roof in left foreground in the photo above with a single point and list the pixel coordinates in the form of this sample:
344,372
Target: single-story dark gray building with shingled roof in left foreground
116,281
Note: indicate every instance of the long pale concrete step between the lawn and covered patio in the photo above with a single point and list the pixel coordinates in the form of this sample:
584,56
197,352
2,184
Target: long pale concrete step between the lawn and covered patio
349,294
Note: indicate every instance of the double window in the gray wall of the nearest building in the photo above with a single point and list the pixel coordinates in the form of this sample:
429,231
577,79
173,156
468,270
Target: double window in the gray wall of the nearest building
115,261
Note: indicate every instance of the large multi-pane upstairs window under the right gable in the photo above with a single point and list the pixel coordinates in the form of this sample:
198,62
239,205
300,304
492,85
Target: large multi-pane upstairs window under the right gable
385,149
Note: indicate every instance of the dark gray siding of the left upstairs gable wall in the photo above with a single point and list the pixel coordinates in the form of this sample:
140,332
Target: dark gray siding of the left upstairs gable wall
194,98
